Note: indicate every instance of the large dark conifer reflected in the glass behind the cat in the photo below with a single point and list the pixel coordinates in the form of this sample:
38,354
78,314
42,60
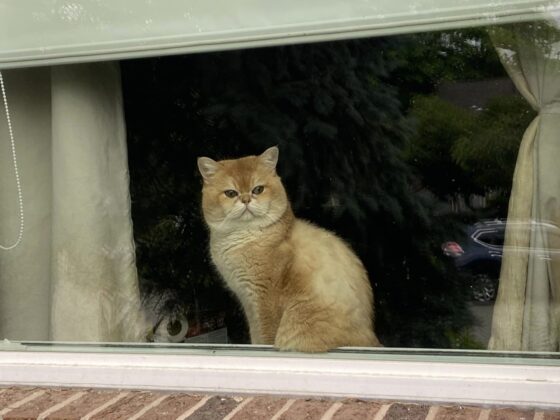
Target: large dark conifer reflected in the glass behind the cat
342,133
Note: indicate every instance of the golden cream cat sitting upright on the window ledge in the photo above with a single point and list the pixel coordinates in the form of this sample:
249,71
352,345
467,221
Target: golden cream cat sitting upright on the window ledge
301,287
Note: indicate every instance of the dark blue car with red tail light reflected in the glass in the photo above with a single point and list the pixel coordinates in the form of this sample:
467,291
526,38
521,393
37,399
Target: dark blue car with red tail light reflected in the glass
480,253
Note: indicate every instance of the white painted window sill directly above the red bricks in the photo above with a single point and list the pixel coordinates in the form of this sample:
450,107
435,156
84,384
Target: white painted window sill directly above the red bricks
453,382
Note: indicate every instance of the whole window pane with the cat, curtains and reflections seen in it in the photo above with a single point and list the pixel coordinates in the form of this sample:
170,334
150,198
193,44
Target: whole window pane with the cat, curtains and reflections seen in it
424,164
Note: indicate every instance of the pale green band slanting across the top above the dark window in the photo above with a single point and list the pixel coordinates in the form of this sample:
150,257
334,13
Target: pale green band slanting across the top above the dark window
39,32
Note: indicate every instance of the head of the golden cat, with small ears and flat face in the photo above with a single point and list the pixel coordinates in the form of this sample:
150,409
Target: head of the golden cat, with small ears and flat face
242,193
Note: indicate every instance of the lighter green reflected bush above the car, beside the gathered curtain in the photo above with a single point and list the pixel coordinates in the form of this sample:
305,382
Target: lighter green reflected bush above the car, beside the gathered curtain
457,151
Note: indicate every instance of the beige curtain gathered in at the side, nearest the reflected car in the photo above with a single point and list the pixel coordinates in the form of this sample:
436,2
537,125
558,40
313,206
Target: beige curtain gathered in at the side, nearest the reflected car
527,310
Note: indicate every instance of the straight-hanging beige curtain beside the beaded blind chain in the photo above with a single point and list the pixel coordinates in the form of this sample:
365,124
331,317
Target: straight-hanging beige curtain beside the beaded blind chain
73,277
